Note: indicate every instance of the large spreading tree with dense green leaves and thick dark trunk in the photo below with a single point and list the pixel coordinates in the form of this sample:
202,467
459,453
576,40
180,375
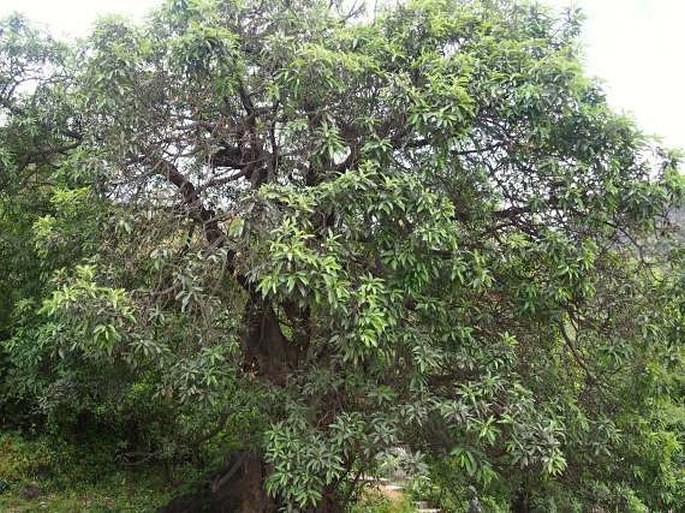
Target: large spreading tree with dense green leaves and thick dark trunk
305,236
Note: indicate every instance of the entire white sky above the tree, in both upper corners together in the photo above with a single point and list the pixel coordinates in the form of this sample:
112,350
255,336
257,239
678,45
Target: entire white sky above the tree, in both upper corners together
636,46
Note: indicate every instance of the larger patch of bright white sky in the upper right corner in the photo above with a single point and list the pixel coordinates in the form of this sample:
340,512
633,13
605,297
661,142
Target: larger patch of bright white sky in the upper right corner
638,48
